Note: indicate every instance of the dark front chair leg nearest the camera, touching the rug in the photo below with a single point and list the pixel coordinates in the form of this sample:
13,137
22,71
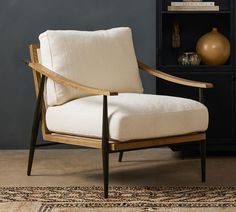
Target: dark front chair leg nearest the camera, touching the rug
105,147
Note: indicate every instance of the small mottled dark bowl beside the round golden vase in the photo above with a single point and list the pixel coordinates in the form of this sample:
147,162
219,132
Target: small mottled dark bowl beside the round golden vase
189,59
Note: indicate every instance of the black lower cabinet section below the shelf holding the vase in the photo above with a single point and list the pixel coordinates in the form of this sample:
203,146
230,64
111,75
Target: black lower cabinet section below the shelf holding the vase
220,101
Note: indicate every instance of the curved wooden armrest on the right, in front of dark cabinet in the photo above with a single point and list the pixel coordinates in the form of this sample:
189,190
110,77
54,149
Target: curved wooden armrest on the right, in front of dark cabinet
173,79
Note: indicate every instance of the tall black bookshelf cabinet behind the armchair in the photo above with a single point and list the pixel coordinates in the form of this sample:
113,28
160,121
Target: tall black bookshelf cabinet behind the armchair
221,100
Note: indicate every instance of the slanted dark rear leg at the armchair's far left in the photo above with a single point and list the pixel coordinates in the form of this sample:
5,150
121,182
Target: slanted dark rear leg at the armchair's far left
35,127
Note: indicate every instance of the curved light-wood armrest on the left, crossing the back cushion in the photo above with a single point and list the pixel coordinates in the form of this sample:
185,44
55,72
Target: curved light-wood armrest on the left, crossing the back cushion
67,82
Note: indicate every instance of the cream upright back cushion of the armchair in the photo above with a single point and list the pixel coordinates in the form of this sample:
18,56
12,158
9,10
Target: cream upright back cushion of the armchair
102,59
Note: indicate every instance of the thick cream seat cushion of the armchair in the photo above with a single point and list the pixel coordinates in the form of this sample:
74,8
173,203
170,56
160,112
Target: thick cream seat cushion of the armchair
131,116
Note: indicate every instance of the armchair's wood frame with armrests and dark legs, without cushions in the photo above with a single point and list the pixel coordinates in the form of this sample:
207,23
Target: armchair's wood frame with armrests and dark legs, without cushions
40,73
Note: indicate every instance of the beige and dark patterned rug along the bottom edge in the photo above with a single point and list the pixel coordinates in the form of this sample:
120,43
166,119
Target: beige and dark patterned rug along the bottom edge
47,199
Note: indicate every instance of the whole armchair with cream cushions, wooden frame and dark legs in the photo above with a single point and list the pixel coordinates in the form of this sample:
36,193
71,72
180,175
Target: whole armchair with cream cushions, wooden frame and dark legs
89,93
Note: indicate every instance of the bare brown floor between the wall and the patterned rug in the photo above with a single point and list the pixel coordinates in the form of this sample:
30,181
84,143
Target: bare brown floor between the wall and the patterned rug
155,167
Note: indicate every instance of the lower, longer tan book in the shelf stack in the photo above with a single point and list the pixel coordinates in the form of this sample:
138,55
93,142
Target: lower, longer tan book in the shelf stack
193,8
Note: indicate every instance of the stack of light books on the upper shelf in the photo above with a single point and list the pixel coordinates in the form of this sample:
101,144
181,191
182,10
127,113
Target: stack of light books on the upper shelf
193,5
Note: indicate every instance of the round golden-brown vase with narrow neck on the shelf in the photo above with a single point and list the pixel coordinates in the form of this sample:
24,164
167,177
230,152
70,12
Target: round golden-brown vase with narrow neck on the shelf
213,48
